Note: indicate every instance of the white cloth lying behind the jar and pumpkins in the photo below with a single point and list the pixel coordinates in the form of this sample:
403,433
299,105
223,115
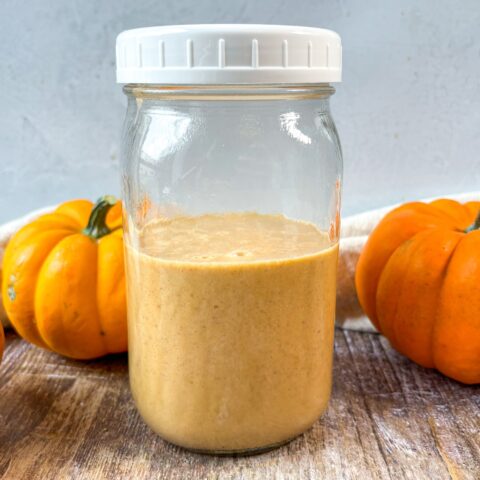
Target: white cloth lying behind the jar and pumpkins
355,231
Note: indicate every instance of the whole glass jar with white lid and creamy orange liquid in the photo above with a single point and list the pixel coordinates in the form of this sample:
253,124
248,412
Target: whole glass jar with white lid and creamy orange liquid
231,189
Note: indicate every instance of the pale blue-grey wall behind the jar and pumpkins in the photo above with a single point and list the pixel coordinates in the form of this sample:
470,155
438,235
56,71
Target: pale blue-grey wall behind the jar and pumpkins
408,111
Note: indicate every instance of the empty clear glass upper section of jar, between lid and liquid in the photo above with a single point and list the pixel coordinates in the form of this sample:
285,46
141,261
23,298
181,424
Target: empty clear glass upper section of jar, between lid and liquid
213,149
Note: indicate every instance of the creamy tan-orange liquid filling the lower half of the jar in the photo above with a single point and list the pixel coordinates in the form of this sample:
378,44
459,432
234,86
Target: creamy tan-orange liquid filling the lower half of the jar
231,322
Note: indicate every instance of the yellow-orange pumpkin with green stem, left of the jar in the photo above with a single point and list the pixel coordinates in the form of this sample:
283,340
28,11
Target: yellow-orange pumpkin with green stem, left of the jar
63,280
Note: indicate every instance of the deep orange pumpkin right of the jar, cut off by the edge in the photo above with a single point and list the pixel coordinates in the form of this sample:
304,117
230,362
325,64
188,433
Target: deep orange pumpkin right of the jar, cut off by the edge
418,280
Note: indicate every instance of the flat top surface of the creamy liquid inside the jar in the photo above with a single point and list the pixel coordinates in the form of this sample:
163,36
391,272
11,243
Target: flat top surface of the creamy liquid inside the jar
231,238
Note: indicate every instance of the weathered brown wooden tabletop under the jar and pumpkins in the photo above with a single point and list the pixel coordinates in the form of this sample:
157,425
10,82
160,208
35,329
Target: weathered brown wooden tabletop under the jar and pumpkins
387,418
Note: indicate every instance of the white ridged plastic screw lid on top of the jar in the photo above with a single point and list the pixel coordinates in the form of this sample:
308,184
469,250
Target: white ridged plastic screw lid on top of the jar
228,54
